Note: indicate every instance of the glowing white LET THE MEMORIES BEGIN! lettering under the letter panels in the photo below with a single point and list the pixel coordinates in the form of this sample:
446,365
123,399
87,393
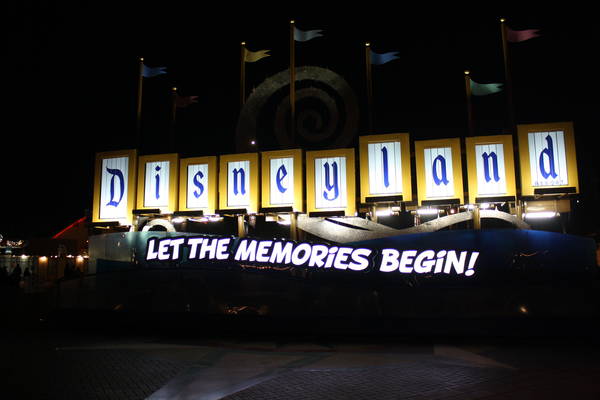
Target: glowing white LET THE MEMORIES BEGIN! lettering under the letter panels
309,255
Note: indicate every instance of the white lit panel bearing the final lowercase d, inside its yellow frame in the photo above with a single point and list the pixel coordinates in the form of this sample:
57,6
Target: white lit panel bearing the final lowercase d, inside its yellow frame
547,158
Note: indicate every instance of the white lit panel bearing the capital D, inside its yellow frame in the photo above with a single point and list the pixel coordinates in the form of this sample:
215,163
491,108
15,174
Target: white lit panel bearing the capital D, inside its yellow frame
113,188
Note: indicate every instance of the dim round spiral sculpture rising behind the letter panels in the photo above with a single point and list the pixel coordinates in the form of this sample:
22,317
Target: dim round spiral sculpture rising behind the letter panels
327,112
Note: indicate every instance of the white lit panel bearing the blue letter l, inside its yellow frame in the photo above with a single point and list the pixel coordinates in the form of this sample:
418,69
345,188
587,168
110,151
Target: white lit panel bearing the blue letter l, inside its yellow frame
385,168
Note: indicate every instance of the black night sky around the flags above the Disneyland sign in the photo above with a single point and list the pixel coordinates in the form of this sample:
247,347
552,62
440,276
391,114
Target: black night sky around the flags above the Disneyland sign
71,84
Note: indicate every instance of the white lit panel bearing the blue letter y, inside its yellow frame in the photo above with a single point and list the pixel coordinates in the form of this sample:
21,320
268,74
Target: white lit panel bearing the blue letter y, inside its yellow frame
330,182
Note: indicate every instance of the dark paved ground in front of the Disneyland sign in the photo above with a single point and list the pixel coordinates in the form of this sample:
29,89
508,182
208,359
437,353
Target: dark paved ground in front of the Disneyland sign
42,360
